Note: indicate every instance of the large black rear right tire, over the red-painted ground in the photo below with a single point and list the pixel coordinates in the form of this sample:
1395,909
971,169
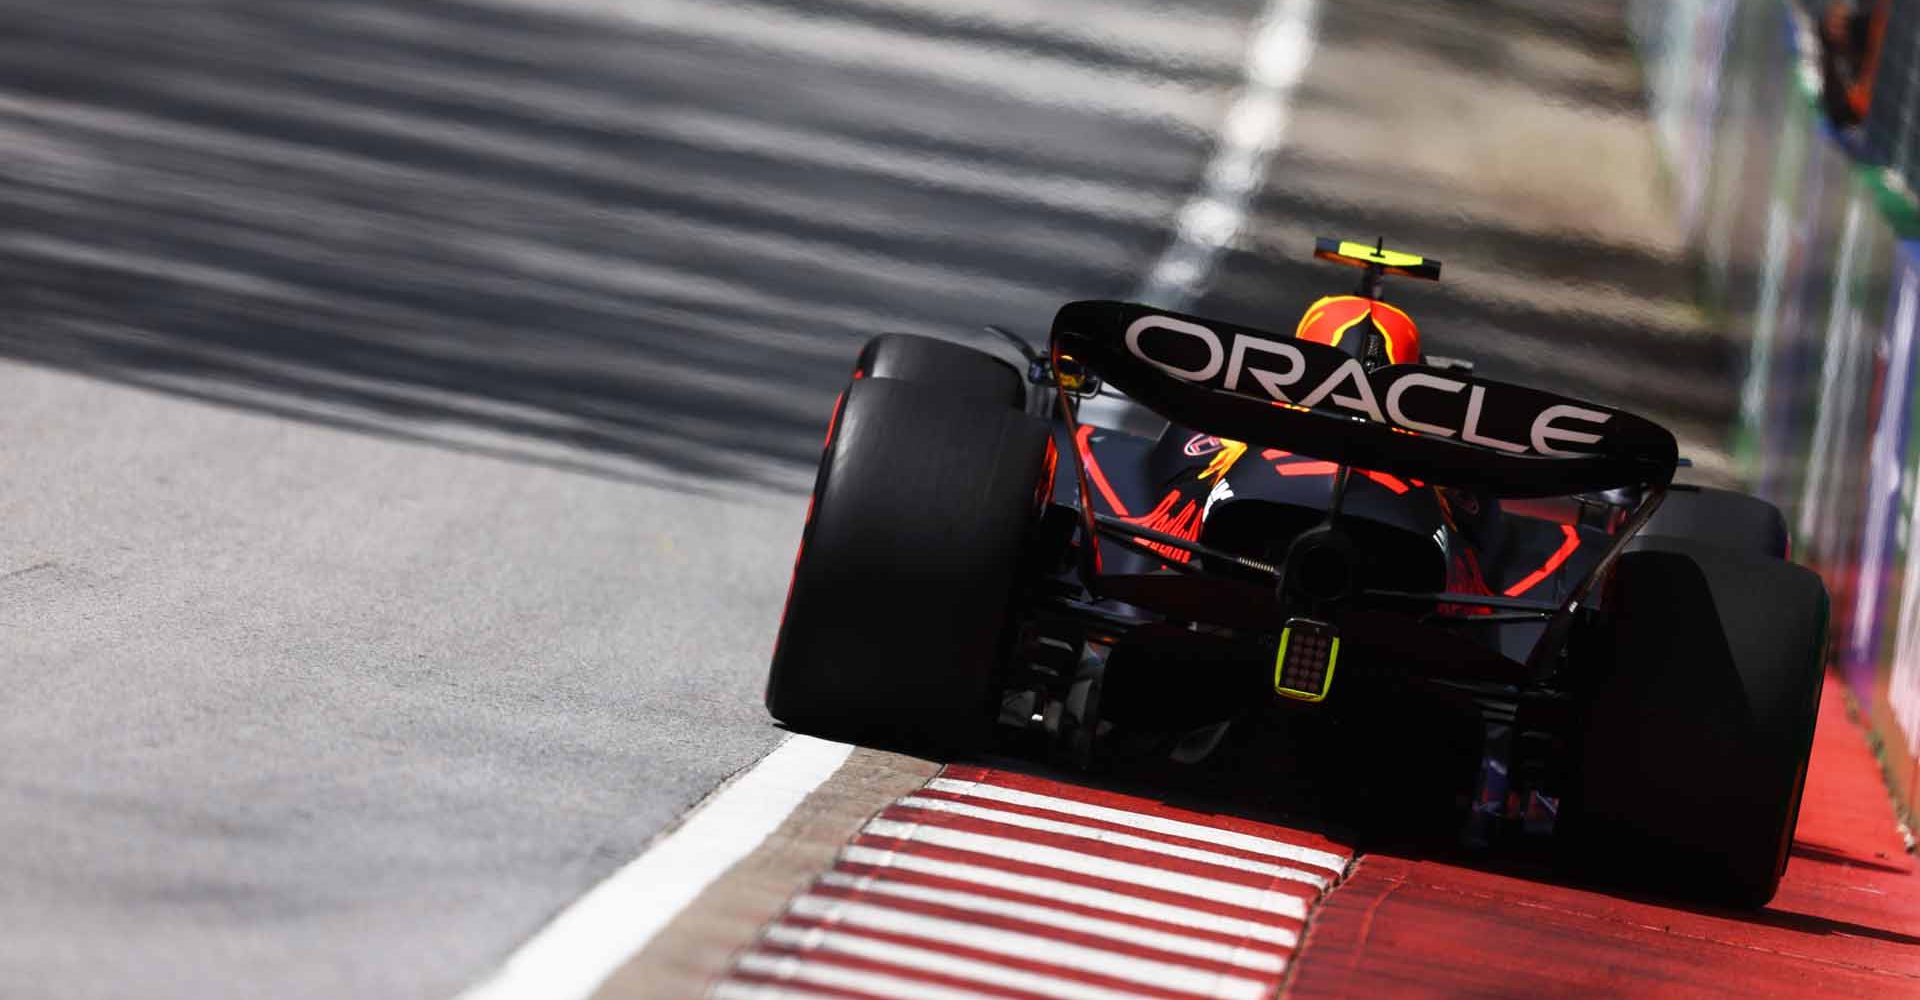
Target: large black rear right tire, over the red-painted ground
1704,684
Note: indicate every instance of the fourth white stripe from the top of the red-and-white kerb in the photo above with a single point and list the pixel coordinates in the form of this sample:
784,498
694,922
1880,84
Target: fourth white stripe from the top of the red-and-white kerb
1086,895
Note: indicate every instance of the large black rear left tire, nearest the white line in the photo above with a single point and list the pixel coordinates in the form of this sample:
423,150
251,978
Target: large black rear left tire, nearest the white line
900,613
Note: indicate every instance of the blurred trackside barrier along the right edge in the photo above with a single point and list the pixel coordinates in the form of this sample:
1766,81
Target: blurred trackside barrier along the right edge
1808,249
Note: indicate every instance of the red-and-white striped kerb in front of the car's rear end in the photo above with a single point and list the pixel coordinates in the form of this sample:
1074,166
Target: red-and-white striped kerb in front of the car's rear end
1003,886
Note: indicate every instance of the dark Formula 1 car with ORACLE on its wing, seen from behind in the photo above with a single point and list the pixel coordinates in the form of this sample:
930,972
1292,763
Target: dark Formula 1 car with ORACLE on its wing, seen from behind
1493,588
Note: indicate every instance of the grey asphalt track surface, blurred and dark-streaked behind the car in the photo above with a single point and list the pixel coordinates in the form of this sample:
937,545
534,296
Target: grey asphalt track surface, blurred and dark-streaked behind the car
406,406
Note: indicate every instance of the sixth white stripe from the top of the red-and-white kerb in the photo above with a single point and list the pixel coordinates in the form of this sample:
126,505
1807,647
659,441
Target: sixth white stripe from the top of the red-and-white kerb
980,938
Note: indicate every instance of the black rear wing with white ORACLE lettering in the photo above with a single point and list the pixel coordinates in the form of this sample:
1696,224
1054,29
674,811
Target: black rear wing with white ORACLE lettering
1314,400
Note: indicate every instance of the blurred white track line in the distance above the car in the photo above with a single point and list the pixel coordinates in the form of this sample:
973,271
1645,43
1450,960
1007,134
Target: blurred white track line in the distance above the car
1214,218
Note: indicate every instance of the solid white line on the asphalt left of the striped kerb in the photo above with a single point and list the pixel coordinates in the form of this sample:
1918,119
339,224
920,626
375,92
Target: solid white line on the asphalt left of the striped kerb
600,932
